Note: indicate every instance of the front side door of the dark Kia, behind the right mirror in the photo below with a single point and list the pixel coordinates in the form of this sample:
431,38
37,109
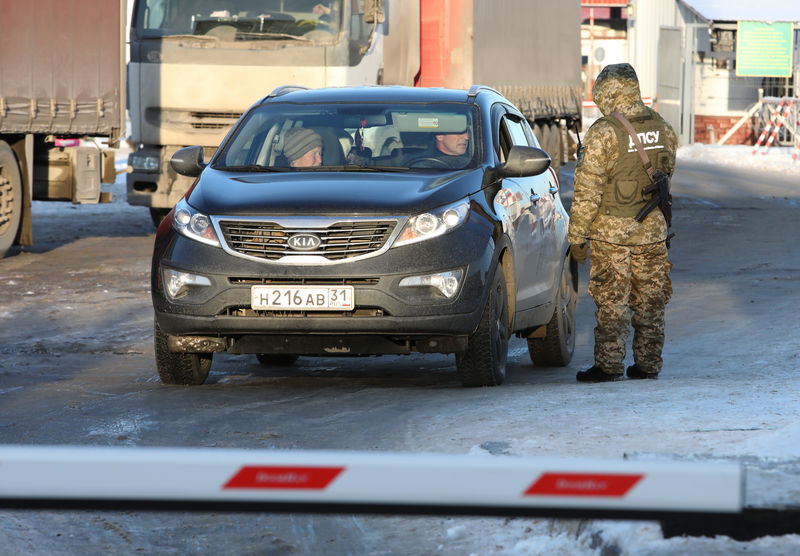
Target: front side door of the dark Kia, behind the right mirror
530,194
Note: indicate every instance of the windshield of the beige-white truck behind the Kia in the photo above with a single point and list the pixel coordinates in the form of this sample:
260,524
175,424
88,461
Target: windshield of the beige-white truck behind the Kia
240,20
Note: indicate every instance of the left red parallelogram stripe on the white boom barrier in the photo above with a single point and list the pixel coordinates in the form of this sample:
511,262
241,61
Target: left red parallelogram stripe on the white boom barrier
254,476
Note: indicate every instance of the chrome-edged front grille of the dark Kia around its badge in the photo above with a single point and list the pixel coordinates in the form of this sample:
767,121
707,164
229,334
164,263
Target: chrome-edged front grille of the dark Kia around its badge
338,241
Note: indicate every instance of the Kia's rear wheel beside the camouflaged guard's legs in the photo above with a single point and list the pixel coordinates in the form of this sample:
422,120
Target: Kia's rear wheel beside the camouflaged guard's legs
558,345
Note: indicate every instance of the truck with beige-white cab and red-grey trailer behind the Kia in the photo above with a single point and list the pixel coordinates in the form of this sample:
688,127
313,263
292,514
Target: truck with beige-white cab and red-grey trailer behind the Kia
195,67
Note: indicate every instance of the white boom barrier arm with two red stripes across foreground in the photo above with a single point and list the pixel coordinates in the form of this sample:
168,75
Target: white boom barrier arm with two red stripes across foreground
203,478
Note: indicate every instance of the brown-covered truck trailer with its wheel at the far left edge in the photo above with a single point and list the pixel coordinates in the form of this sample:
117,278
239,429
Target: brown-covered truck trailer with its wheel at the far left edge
62,66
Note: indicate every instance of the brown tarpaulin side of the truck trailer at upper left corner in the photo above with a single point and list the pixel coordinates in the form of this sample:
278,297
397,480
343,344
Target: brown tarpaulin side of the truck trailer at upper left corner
61,66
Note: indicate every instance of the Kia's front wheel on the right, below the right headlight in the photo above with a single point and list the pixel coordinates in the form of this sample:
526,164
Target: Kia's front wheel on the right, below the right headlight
484,361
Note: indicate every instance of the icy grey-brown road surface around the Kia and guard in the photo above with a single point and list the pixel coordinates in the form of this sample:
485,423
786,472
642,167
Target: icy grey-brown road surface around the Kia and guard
77,368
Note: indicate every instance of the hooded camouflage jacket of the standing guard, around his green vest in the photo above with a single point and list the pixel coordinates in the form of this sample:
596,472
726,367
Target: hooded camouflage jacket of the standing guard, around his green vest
616,89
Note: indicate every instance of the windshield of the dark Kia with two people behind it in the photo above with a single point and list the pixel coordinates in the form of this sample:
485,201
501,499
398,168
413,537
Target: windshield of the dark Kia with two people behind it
374,136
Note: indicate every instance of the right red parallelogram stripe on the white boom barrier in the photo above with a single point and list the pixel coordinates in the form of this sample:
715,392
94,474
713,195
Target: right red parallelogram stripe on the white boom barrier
583,484
